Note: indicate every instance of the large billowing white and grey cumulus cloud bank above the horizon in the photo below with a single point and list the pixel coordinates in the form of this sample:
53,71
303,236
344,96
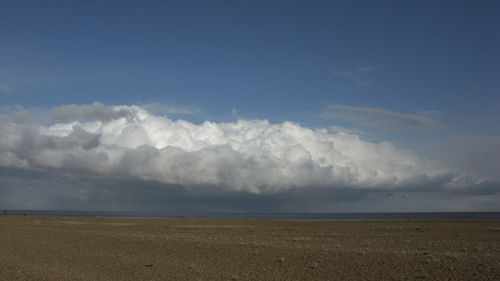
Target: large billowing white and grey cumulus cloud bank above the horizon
254,156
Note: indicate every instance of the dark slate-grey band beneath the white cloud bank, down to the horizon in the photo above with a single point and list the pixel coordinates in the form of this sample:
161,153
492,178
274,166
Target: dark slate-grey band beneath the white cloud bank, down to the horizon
47,190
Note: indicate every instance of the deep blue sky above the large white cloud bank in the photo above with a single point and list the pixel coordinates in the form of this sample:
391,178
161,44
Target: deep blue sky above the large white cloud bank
419,74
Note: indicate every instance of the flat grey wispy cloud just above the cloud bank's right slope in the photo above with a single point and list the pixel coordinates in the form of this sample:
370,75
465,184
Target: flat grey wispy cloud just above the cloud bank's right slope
380,118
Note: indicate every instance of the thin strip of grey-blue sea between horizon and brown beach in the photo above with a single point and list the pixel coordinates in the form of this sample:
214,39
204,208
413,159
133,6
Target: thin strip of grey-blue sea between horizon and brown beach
269,216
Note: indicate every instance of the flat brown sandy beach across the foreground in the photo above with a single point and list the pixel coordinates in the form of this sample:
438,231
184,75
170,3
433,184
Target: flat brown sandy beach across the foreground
68,248
